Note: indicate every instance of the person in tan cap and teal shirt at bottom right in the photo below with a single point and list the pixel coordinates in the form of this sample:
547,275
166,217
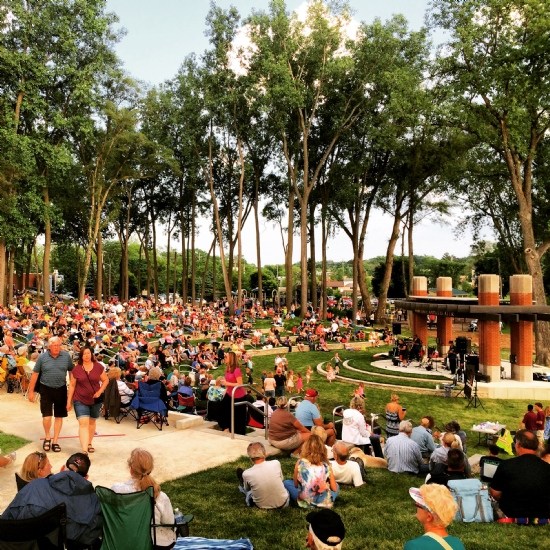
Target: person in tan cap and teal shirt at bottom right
435,509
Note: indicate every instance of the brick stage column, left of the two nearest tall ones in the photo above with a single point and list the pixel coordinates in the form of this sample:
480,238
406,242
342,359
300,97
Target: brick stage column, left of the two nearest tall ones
489,333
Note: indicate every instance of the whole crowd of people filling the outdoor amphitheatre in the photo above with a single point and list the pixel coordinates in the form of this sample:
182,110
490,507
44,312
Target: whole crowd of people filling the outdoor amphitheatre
101,342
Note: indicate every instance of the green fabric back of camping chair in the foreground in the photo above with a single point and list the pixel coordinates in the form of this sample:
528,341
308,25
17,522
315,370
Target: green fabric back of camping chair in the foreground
127,519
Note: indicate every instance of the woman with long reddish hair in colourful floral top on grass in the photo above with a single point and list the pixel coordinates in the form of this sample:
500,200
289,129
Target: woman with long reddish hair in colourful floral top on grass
313,483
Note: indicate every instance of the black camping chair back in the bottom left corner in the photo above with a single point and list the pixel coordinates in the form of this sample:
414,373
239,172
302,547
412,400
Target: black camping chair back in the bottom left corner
45,532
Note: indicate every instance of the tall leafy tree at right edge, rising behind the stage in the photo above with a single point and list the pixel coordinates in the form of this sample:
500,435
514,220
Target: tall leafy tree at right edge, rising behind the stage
496,67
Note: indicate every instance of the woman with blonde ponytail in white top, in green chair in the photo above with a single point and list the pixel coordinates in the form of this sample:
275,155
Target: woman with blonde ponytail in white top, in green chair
140,464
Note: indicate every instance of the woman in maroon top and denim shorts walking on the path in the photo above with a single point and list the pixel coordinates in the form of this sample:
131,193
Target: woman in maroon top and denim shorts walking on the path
88,382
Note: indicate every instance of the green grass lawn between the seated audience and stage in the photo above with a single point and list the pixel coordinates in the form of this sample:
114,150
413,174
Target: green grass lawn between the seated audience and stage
379,515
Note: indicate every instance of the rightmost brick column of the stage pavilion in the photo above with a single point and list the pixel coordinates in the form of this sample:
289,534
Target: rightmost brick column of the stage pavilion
521,332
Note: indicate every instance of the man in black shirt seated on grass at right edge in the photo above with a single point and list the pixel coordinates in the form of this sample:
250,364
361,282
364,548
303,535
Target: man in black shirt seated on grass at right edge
521,485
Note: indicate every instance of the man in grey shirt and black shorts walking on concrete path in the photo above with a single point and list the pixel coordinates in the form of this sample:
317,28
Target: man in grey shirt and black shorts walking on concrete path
52,366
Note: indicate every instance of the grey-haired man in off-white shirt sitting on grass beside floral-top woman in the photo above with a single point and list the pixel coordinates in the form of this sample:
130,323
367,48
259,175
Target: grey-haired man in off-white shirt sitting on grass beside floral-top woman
263,482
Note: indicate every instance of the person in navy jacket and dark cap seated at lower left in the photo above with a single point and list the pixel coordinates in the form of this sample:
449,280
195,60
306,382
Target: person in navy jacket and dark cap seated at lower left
70,486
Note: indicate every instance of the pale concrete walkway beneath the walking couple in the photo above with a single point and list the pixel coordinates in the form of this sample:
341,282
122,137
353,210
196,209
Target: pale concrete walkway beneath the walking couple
177,452
